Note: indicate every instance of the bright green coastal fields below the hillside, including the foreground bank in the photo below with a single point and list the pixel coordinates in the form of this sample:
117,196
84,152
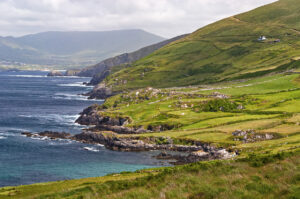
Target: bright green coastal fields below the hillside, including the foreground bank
264,169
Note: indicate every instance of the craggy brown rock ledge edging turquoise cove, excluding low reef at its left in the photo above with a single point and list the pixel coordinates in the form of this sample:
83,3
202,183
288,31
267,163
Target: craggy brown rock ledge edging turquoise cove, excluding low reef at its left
194,153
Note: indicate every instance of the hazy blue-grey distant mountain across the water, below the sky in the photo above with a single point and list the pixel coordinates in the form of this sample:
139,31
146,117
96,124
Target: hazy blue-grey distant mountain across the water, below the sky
73,48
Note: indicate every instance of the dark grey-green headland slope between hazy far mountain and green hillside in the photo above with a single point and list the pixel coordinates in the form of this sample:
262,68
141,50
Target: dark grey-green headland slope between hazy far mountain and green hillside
101,70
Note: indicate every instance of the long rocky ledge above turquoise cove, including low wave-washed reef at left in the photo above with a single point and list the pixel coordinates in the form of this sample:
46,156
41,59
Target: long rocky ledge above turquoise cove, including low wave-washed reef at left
193,153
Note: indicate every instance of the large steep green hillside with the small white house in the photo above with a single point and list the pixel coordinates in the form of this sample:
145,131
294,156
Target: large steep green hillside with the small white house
225,50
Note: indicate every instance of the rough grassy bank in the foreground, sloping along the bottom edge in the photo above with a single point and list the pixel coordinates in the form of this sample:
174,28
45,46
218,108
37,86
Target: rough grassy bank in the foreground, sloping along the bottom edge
257,176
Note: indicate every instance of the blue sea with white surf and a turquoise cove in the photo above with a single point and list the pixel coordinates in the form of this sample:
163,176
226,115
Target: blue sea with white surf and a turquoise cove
32,102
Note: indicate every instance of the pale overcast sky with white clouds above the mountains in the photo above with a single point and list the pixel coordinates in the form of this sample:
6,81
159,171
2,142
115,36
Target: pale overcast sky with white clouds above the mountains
167,18
